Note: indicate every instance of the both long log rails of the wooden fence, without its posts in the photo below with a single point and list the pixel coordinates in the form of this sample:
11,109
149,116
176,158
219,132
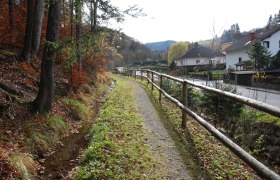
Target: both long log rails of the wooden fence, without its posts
260,168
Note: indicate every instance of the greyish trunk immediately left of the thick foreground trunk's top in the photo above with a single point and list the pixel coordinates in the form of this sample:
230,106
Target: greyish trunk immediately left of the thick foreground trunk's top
38,20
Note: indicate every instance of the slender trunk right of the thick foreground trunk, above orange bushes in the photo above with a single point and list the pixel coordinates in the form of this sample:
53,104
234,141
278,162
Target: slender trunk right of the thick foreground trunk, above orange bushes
78,32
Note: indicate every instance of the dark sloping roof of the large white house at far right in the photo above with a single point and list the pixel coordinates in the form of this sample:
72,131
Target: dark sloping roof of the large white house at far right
244,42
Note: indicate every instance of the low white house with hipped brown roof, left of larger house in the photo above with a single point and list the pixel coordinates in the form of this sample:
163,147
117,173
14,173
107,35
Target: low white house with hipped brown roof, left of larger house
200,56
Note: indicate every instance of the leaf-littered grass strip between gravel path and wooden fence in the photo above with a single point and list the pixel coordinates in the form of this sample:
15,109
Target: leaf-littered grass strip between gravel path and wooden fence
217,161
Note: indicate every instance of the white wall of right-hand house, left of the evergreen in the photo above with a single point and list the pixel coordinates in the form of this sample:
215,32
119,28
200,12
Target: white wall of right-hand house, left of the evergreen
232,58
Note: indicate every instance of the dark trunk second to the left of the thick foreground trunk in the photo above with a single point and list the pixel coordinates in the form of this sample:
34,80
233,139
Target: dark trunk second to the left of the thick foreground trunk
28,31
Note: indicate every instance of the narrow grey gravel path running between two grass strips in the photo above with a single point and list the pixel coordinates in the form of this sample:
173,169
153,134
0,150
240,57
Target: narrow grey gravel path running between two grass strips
170,164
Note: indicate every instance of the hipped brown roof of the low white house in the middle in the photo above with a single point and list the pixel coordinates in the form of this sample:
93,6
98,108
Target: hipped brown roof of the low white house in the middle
200,51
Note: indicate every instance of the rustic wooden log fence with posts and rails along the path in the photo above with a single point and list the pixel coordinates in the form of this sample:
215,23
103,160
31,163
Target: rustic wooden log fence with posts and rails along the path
157,81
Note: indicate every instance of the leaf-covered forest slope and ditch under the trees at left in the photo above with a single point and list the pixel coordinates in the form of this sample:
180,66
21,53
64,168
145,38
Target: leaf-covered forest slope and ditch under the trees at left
31,143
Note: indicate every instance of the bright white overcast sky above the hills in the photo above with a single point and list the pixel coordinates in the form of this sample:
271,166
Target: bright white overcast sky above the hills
185,20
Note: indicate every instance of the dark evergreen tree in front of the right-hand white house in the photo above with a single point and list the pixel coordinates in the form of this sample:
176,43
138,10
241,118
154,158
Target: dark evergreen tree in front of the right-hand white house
260,56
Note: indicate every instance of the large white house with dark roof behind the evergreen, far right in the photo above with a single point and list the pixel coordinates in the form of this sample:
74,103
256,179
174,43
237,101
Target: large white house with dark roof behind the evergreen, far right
236,54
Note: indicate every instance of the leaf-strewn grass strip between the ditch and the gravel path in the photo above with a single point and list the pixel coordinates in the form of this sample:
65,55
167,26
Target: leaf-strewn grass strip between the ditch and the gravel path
117,149
